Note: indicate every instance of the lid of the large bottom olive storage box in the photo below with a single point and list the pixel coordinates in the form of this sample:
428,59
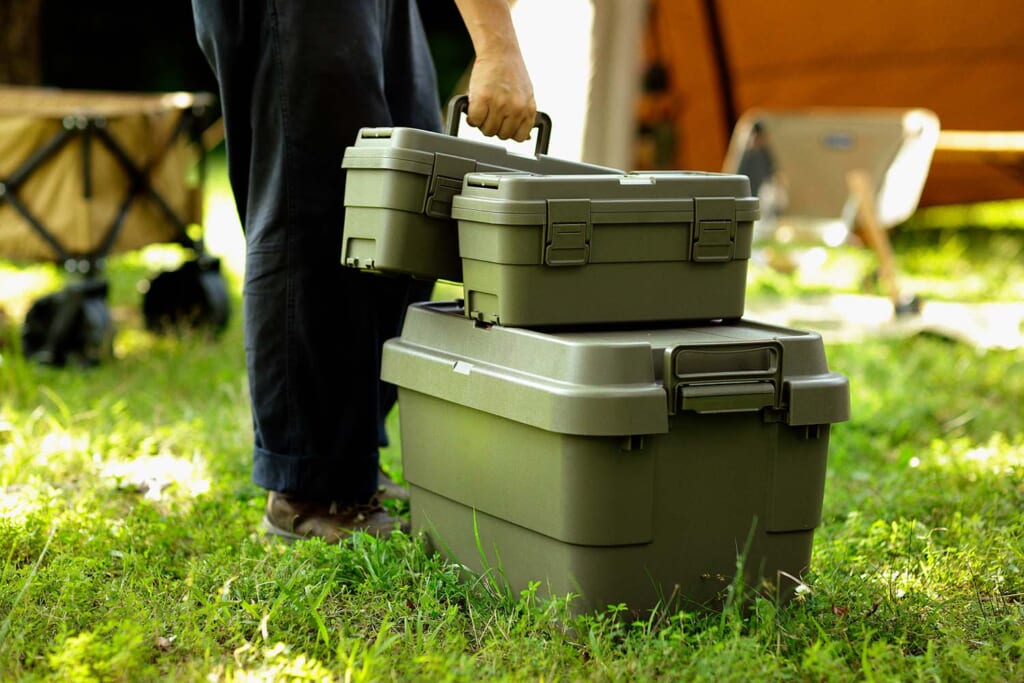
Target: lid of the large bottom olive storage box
616,382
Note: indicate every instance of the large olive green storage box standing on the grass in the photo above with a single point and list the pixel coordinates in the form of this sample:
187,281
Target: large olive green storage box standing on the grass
626,466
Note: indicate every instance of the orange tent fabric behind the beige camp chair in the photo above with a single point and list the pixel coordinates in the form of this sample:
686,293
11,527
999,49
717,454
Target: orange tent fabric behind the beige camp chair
965,61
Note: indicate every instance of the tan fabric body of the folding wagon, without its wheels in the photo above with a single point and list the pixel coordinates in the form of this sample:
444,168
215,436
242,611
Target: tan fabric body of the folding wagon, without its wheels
67,161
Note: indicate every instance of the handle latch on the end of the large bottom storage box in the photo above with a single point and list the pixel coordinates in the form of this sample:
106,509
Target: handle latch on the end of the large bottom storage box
731,377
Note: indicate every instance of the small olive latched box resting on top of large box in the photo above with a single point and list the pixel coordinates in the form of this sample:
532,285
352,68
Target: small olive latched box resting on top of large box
581,249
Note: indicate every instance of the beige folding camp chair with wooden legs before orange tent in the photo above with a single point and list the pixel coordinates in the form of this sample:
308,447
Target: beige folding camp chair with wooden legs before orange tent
823,175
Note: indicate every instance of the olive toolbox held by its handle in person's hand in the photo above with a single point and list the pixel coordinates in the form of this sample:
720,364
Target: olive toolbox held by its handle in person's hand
399,192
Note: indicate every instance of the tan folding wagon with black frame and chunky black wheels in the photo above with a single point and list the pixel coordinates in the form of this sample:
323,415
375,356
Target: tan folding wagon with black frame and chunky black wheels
84,176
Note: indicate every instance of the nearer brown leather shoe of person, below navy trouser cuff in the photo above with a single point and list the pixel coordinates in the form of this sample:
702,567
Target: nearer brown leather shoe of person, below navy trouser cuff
294,520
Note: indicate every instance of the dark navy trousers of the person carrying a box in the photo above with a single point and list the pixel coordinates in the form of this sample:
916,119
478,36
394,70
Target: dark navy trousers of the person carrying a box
298,79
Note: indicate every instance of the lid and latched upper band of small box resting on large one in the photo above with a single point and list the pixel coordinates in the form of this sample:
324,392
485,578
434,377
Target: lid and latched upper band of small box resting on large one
681,217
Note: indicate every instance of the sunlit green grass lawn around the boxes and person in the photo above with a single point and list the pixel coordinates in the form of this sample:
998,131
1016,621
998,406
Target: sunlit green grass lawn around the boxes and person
130,543
